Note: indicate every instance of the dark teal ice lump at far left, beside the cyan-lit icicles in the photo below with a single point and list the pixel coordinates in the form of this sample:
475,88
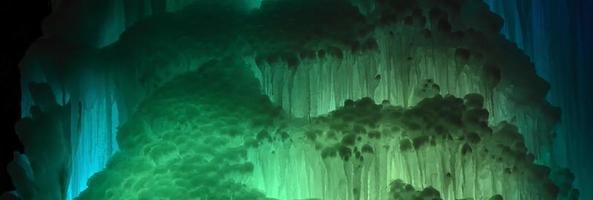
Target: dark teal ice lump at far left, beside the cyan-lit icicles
40,172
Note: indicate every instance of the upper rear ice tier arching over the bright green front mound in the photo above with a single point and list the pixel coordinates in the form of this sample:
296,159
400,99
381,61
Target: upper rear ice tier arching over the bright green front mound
309,63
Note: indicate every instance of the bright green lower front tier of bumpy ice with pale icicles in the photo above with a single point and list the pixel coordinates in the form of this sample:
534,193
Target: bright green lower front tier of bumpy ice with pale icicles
202,136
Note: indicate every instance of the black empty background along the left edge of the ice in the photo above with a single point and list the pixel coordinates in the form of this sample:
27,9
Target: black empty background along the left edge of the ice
20,26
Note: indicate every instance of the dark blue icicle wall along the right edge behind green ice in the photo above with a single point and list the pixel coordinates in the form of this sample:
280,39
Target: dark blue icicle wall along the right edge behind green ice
557,37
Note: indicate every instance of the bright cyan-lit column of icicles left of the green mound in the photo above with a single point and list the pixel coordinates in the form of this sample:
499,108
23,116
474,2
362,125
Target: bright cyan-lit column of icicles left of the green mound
99,118
